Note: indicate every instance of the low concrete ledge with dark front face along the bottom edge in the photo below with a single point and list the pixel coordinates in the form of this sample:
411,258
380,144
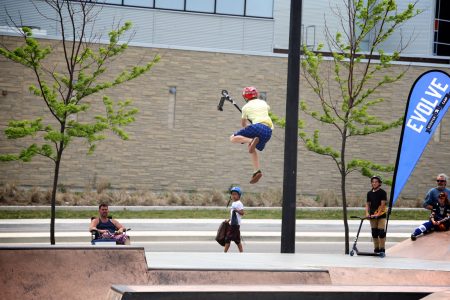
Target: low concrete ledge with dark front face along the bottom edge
237,292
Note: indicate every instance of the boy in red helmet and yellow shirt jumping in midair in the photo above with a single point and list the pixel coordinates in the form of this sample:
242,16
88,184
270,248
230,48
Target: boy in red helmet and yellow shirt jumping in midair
257,128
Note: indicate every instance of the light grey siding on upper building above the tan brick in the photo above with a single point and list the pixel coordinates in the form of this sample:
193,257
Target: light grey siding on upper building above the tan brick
172,29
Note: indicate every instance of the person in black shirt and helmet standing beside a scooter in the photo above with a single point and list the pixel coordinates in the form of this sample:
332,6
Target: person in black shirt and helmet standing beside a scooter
376,212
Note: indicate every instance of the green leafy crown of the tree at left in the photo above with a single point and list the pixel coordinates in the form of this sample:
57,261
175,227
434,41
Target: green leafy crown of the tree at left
64,96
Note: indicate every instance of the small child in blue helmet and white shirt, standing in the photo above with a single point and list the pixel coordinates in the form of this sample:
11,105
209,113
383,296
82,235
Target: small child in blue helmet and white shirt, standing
236,211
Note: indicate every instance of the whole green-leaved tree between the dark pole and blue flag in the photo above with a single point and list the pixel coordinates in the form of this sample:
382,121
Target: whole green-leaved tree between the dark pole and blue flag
353,75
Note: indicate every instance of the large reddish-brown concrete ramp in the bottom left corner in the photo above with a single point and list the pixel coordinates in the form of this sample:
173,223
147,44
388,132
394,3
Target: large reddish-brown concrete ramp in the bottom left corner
68,272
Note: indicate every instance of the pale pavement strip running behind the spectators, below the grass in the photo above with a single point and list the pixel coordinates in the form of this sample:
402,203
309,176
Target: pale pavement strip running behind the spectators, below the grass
75,230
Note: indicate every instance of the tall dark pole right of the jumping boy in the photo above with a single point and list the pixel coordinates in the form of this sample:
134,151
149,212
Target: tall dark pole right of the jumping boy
291,131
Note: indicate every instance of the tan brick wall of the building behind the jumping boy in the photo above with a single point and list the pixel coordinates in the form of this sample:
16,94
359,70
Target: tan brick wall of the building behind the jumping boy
196,154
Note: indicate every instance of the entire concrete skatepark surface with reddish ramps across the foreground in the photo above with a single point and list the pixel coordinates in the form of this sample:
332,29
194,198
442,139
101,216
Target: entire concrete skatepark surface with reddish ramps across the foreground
410,270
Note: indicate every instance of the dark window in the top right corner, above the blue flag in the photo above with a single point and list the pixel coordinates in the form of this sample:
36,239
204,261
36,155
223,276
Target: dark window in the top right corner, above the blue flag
441,45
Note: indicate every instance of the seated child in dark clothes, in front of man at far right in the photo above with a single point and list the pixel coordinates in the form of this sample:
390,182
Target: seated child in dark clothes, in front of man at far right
439,218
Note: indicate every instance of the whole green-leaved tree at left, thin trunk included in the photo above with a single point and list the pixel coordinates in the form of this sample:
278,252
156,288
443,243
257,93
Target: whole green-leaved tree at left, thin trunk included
65,89
